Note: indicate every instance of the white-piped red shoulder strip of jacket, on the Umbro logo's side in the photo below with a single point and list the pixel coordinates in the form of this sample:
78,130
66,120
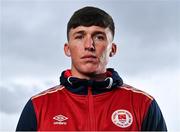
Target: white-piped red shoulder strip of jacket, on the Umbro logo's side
49,92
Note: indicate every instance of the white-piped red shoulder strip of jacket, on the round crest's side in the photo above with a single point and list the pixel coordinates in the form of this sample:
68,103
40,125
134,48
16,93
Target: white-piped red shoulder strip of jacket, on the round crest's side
135,92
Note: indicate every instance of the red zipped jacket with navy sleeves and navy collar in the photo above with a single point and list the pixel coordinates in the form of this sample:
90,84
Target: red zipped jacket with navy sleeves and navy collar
85,105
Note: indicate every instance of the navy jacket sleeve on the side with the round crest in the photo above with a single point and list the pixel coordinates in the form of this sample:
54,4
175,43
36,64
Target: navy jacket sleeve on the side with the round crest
154,120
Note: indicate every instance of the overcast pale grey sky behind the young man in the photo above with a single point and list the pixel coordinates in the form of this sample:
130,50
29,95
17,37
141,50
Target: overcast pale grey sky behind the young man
33,33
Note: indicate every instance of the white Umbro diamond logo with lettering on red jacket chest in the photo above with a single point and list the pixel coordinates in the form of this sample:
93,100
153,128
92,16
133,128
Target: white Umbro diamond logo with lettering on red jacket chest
60,120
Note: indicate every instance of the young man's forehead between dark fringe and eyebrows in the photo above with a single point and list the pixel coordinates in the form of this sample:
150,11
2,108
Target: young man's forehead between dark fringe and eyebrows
90,30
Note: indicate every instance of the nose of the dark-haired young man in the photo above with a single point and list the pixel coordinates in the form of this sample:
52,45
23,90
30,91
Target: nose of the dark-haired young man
89,44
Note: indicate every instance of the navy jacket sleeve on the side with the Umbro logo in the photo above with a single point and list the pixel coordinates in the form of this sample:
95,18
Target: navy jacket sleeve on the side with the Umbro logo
27,120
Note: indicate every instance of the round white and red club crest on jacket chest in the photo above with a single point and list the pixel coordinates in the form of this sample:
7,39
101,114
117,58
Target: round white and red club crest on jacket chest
122,118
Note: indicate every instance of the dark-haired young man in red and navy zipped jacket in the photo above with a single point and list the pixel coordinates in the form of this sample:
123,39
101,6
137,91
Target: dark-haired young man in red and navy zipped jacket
90,96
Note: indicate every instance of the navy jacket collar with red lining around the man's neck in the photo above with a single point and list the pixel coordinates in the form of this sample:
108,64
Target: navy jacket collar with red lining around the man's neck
80,86
